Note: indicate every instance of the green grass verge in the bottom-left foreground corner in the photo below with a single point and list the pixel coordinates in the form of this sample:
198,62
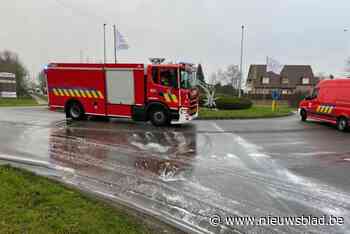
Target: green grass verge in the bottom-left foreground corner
33,204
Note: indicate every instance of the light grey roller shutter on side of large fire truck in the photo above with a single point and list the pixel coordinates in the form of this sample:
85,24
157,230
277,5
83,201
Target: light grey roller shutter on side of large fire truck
120,87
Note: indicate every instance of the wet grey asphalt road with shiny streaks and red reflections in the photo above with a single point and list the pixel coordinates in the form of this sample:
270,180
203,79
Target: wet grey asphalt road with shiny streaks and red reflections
277,167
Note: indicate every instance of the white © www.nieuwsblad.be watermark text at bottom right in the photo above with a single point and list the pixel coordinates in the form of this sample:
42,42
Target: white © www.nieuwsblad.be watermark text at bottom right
304,220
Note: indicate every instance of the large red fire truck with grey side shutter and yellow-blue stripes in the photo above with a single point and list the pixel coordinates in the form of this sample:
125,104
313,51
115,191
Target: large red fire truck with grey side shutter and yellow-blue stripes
160,93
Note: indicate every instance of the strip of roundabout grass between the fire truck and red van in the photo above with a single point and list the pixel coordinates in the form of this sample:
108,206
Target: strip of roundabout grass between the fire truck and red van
252,113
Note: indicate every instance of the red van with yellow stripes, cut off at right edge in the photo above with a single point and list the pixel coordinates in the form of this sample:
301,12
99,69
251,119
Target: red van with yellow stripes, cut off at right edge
329,102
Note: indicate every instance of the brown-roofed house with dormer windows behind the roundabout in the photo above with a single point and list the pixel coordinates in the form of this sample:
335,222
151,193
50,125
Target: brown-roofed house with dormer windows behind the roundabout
293,78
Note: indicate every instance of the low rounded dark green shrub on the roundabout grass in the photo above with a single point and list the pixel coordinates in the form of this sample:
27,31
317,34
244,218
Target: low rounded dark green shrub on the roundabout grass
232,103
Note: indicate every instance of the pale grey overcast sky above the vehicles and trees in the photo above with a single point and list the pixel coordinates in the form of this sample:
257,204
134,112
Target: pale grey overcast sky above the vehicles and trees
200,31
